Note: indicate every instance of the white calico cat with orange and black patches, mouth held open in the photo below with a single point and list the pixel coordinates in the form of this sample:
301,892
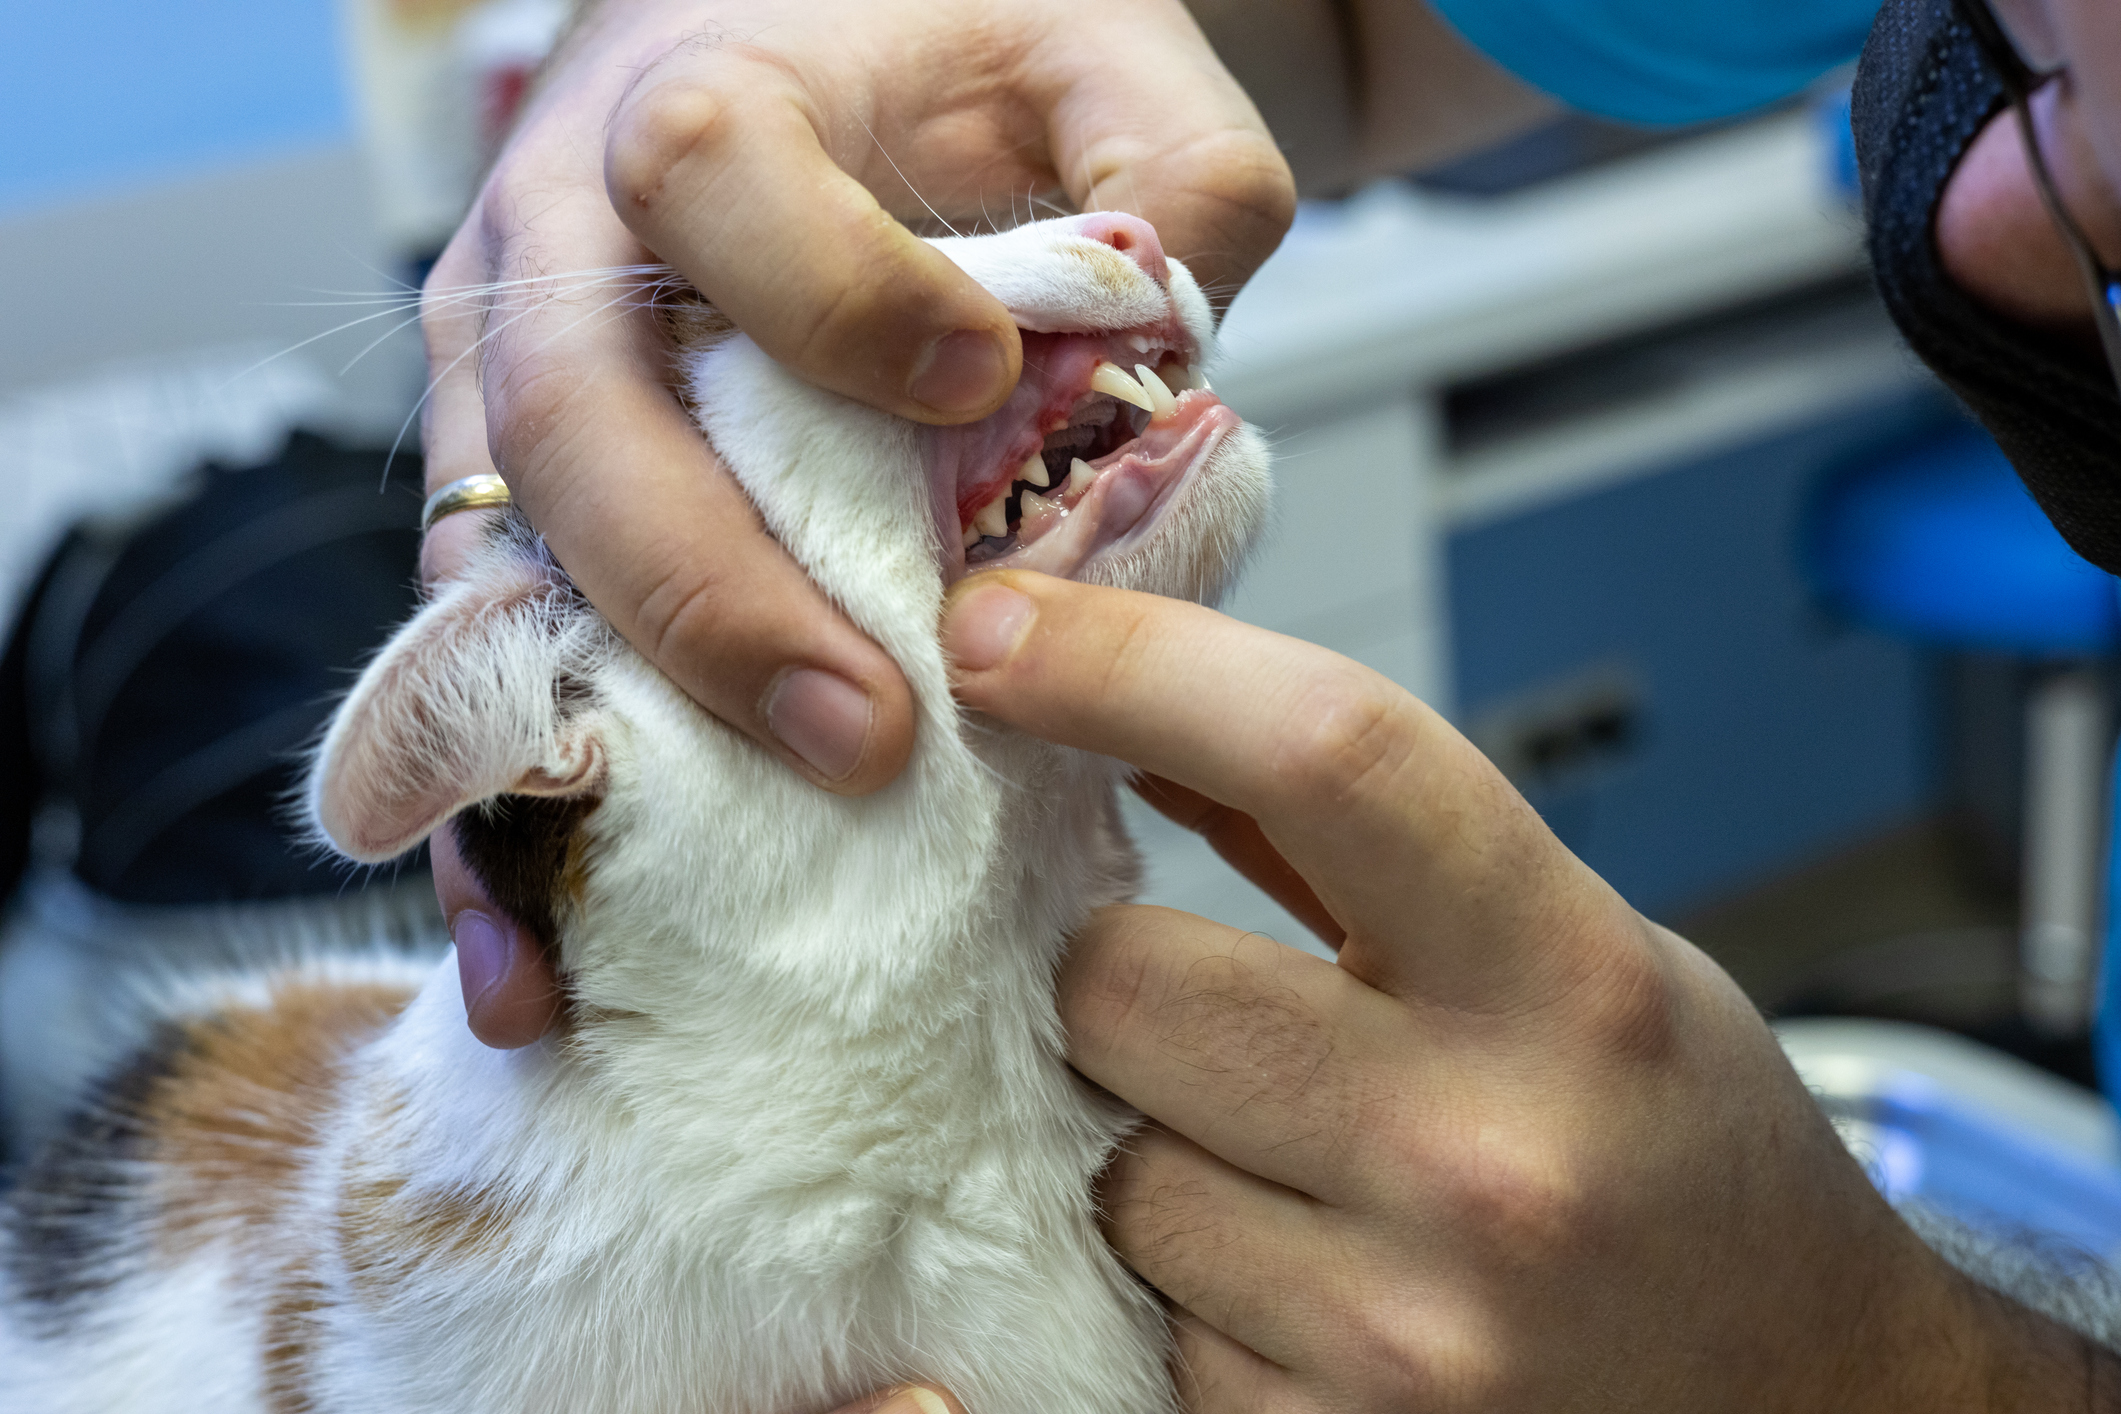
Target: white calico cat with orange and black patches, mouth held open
805,1127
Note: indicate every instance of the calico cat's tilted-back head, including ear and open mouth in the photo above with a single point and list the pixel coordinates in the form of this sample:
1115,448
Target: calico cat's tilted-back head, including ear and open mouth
510,699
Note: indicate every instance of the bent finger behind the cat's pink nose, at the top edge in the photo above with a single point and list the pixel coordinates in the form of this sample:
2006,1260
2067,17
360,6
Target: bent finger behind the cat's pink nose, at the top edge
1159,128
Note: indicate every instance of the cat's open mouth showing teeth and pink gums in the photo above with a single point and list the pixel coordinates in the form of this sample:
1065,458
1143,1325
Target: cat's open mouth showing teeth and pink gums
1087,453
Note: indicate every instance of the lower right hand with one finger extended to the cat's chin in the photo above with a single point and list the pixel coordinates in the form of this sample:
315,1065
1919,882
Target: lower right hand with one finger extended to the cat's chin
1522,1150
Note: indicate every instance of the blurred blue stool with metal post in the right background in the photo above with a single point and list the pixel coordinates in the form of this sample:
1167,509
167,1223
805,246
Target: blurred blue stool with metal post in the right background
1942,544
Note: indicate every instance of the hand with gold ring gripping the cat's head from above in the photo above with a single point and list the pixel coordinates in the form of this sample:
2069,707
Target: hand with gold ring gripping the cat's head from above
762,147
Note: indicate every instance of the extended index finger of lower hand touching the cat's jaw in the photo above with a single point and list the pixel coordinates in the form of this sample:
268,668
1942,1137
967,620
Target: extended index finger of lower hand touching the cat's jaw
1403,830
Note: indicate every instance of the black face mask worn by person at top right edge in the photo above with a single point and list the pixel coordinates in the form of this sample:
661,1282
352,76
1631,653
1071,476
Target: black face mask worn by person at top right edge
1923,94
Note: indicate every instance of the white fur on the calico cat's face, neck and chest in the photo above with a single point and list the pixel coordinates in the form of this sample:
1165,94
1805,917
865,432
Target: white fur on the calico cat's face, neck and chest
811,1129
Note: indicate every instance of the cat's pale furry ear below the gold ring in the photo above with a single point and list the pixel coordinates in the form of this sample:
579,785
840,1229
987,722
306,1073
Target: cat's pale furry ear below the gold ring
474,699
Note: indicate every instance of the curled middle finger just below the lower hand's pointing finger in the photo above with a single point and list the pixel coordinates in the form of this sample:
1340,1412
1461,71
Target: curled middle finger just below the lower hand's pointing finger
1252,1050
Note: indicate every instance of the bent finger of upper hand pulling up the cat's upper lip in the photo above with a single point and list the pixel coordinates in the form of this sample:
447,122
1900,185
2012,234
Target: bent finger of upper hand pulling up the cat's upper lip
716,164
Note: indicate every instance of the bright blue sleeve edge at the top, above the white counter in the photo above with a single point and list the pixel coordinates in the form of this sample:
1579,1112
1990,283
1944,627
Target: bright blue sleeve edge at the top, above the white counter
1664,60
